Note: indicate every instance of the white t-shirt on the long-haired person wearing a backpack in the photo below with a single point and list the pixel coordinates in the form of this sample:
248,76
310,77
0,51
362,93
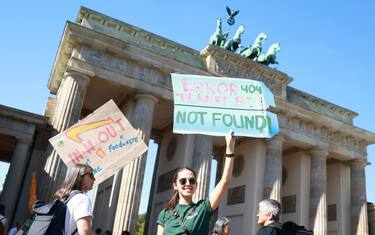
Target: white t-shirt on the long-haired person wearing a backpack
79,206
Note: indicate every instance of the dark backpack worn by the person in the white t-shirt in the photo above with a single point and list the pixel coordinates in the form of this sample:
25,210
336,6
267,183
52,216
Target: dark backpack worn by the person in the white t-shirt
50,216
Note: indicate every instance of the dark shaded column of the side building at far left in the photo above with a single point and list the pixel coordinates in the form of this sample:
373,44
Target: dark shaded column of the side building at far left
15,176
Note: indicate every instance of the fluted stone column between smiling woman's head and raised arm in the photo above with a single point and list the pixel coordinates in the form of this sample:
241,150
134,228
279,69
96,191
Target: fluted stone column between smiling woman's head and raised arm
201,163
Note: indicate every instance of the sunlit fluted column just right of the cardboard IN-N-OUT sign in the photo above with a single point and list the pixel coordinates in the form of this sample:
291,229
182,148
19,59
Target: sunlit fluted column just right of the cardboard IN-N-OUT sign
132,177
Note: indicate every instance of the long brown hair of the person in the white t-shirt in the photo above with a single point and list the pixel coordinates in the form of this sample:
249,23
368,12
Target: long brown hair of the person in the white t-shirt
74,181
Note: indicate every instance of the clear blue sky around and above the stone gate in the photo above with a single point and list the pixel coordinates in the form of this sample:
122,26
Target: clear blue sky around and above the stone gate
326,46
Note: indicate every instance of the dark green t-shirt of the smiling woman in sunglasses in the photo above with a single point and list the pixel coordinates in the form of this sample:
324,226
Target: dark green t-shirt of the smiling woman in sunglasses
196,218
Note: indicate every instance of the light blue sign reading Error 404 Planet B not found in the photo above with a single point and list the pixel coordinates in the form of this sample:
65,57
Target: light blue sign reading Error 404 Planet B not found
215,105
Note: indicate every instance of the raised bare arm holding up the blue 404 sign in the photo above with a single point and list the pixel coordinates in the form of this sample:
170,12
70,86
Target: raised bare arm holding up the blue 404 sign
219,190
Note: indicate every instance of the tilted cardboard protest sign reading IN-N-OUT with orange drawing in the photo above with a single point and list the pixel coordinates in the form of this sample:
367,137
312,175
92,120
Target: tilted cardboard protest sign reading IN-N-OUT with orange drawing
104,139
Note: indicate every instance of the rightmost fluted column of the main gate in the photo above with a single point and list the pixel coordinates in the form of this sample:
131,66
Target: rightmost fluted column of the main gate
358,197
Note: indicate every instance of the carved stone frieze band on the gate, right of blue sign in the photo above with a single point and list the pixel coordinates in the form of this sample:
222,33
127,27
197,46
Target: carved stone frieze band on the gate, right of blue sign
322,133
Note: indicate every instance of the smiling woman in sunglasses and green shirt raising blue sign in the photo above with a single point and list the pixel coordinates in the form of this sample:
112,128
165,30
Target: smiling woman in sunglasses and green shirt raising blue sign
182,215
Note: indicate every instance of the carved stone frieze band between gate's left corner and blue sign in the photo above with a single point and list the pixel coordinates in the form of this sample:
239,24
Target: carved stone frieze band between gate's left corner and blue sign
124,66
